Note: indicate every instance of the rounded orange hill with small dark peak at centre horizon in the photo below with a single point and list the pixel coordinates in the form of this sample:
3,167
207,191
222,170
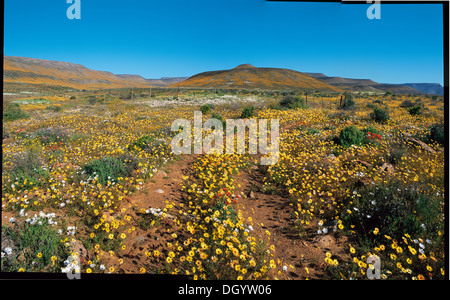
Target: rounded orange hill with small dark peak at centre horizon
247,76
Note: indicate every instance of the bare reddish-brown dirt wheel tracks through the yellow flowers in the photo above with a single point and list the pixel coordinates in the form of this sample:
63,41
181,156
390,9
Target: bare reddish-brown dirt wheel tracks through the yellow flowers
270,211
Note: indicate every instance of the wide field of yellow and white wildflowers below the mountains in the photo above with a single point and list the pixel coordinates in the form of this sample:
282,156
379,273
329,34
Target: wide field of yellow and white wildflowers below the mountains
92,175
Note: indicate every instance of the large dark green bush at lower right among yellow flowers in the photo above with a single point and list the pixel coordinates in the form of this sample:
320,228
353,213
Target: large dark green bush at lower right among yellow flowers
395,210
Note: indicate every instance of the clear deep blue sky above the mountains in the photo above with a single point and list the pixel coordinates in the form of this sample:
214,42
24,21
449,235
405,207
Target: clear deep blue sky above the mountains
156,38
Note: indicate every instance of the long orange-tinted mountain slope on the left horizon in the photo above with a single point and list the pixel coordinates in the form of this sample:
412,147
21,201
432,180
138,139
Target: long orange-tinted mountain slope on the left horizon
57,73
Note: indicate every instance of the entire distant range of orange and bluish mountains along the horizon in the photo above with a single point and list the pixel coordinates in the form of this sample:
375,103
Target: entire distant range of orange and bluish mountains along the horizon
55,73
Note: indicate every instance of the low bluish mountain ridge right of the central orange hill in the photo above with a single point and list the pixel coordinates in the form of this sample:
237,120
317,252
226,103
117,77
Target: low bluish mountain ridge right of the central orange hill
369,85
